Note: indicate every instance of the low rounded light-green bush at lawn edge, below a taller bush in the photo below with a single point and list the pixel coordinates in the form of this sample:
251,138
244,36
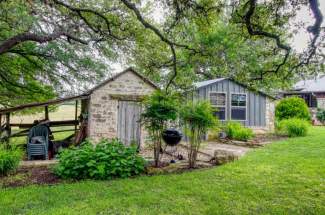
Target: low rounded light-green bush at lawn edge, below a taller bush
293,127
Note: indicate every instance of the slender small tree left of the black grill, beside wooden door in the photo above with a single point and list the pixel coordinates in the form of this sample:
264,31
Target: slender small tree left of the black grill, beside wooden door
160,109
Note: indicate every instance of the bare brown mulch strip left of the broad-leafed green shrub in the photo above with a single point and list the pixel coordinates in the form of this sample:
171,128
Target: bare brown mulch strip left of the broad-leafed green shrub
30,175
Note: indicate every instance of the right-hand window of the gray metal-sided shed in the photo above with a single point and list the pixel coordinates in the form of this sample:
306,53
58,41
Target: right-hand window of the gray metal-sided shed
238,106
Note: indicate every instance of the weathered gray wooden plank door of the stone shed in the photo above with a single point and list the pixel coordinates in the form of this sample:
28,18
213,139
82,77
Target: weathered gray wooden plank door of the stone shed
129,122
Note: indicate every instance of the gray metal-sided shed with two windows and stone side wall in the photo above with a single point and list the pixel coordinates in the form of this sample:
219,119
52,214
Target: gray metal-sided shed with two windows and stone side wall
235,102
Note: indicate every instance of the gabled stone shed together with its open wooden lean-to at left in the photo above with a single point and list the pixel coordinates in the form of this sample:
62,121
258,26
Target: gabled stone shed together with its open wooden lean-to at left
111,109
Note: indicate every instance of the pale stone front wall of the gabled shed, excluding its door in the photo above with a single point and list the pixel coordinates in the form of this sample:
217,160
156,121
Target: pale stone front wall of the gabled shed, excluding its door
103,105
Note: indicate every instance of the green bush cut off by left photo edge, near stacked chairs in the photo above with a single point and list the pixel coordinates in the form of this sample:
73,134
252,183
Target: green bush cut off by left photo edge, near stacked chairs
9,160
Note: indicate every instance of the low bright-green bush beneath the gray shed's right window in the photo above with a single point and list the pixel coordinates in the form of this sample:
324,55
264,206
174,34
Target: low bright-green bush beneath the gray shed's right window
236,131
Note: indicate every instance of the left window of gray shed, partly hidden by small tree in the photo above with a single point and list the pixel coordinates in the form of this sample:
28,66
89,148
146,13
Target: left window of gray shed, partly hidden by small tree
218,100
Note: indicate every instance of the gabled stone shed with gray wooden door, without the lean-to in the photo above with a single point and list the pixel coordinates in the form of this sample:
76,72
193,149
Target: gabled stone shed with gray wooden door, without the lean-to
114,107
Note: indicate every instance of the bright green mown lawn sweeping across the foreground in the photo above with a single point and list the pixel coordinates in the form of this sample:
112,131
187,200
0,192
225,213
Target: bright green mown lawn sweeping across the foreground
286,177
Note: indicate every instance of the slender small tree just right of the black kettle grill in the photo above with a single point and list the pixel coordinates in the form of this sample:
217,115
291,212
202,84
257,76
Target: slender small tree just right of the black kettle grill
197,118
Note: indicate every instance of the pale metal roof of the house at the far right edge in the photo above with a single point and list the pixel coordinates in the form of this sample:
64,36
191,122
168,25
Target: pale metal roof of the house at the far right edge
312,85
